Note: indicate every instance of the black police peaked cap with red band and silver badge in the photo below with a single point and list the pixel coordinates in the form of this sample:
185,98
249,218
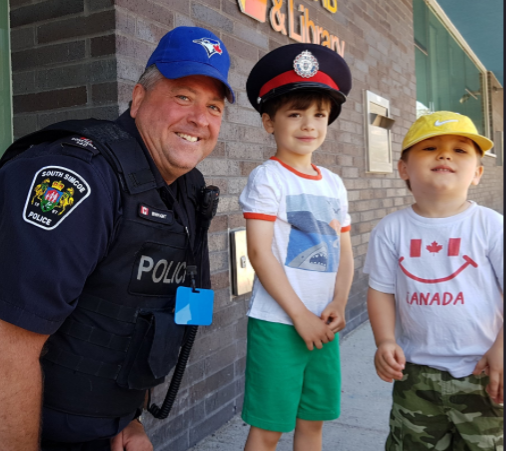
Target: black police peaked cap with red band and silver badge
292,67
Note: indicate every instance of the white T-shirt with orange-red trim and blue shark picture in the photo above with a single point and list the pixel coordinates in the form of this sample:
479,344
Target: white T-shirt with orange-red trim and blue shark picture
309,215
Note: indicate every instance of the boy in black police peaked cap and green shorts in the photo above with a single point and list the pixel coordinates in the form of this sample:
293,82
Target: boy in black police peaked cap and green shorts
298,232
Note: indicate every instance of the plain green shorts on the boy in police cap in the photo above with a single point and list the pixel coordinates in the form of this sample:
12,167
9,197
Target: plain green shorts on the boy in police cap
286,381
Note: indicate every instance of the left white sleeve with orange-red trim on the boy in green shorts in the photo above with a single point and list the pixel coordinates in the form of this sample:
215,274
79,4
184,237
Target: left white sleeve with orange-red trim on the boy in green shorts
261,197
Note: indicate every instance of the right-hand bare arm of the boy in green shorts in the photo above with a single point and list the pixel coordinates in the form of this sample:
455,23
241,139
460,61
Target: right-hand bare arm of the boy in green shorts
335,311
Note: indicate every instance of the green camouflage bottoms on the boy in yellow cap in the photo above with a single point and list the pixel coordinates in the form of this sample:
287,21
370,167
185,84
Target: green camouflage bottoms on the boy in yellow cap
434,410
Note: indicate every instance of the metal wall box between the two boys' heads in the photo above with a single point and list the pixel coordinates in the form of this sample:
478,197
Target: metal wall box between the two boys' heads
377,130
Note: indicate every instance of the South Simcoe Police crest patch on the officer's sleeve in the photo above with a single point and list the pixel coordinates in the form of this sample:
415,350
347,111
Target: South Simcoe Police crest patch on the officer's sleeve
55,193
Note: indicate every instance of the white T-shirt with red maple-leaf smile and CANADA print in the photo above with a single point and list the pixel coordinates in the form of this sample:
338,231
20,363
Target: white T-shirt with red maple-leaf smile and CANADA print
447,278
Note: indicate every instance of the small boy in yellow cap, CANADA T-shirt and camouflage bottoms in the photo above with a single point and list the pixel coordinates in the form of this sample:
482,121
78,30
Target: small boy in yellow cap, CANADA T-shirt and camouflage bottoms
435,295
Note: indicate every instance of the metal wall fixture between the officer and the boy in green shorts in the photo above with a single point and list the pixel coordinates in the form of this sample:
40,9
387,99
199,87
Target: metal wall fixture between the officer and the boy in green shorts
241,269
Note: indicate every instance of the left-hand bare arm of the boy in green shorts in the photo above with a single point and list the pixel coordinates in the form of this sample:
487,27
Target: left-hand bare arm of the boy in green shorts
259,236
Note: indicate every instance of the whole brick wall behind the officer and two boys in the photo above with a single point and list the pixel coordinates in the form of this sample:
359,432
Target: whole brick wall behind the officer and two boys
81,58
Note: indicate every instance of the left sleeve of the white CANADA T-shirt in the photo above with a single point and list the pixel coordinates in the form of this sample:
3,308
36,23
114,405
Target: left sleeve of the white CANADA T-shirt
380,261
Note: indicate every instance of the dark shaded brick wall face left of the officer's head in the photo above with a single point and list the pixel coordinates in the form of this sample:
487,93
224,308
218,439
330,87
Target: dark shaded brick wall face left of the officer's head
63,61
